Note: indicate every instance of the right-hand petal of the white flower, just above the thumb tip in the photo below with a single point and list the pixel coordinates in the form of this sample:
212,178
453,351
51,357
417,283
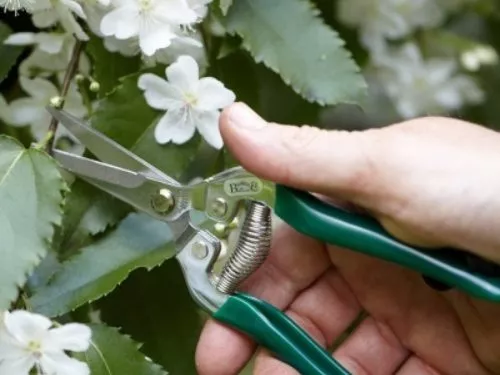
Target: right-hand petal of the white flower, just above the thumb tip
213,95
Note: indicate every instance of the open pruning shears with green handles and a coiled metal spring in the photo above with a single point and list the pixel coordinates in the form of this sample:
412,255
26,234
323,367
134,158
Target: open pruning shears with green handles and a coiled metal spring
223,197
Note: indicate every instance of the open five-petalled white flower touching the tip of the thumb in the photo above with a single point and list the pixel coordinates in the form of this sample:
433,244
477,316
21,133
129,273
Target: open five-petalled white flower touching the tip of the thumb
191,103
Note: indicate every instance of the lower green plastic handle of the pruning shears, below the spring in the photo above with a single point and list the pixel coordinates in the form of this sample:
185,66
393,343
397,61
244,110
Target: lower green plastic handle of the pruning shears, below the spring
275,331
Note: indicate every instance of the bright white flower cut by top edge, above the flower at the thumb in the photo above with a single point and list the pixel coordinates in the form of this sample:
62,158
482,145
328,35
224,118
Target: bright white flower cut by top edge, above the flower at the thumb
155,22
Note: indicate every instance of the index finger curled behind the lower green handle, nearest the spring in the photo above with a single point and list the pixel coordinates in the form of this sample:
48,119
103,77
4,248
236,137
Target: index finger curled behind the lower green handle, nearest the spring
295,262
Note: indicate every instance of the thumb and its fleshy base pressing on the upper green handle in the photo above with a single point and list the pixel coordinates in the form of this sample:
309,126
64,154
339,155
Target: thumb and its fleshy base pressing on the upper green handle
431,181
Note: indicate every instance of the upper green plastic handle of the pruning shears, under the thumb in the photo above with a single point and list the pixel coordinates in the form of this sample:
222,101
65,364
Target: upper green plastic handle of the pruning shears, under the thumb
310,216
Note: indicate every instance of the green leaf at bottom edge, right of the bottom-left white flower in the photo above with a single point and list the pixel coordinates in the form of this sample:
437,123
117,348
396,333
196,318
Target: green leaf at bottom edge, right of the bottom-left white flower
112,353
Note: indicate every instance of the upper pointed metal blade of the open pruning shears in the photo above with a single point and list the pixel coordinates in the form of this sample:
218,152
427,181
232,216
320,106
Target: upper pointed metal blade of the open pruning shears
105,148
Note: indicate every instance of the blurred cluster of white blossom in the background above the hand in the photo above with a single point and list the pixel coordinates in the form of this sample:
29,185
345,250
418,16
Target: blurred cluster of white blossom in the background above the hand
416,85
